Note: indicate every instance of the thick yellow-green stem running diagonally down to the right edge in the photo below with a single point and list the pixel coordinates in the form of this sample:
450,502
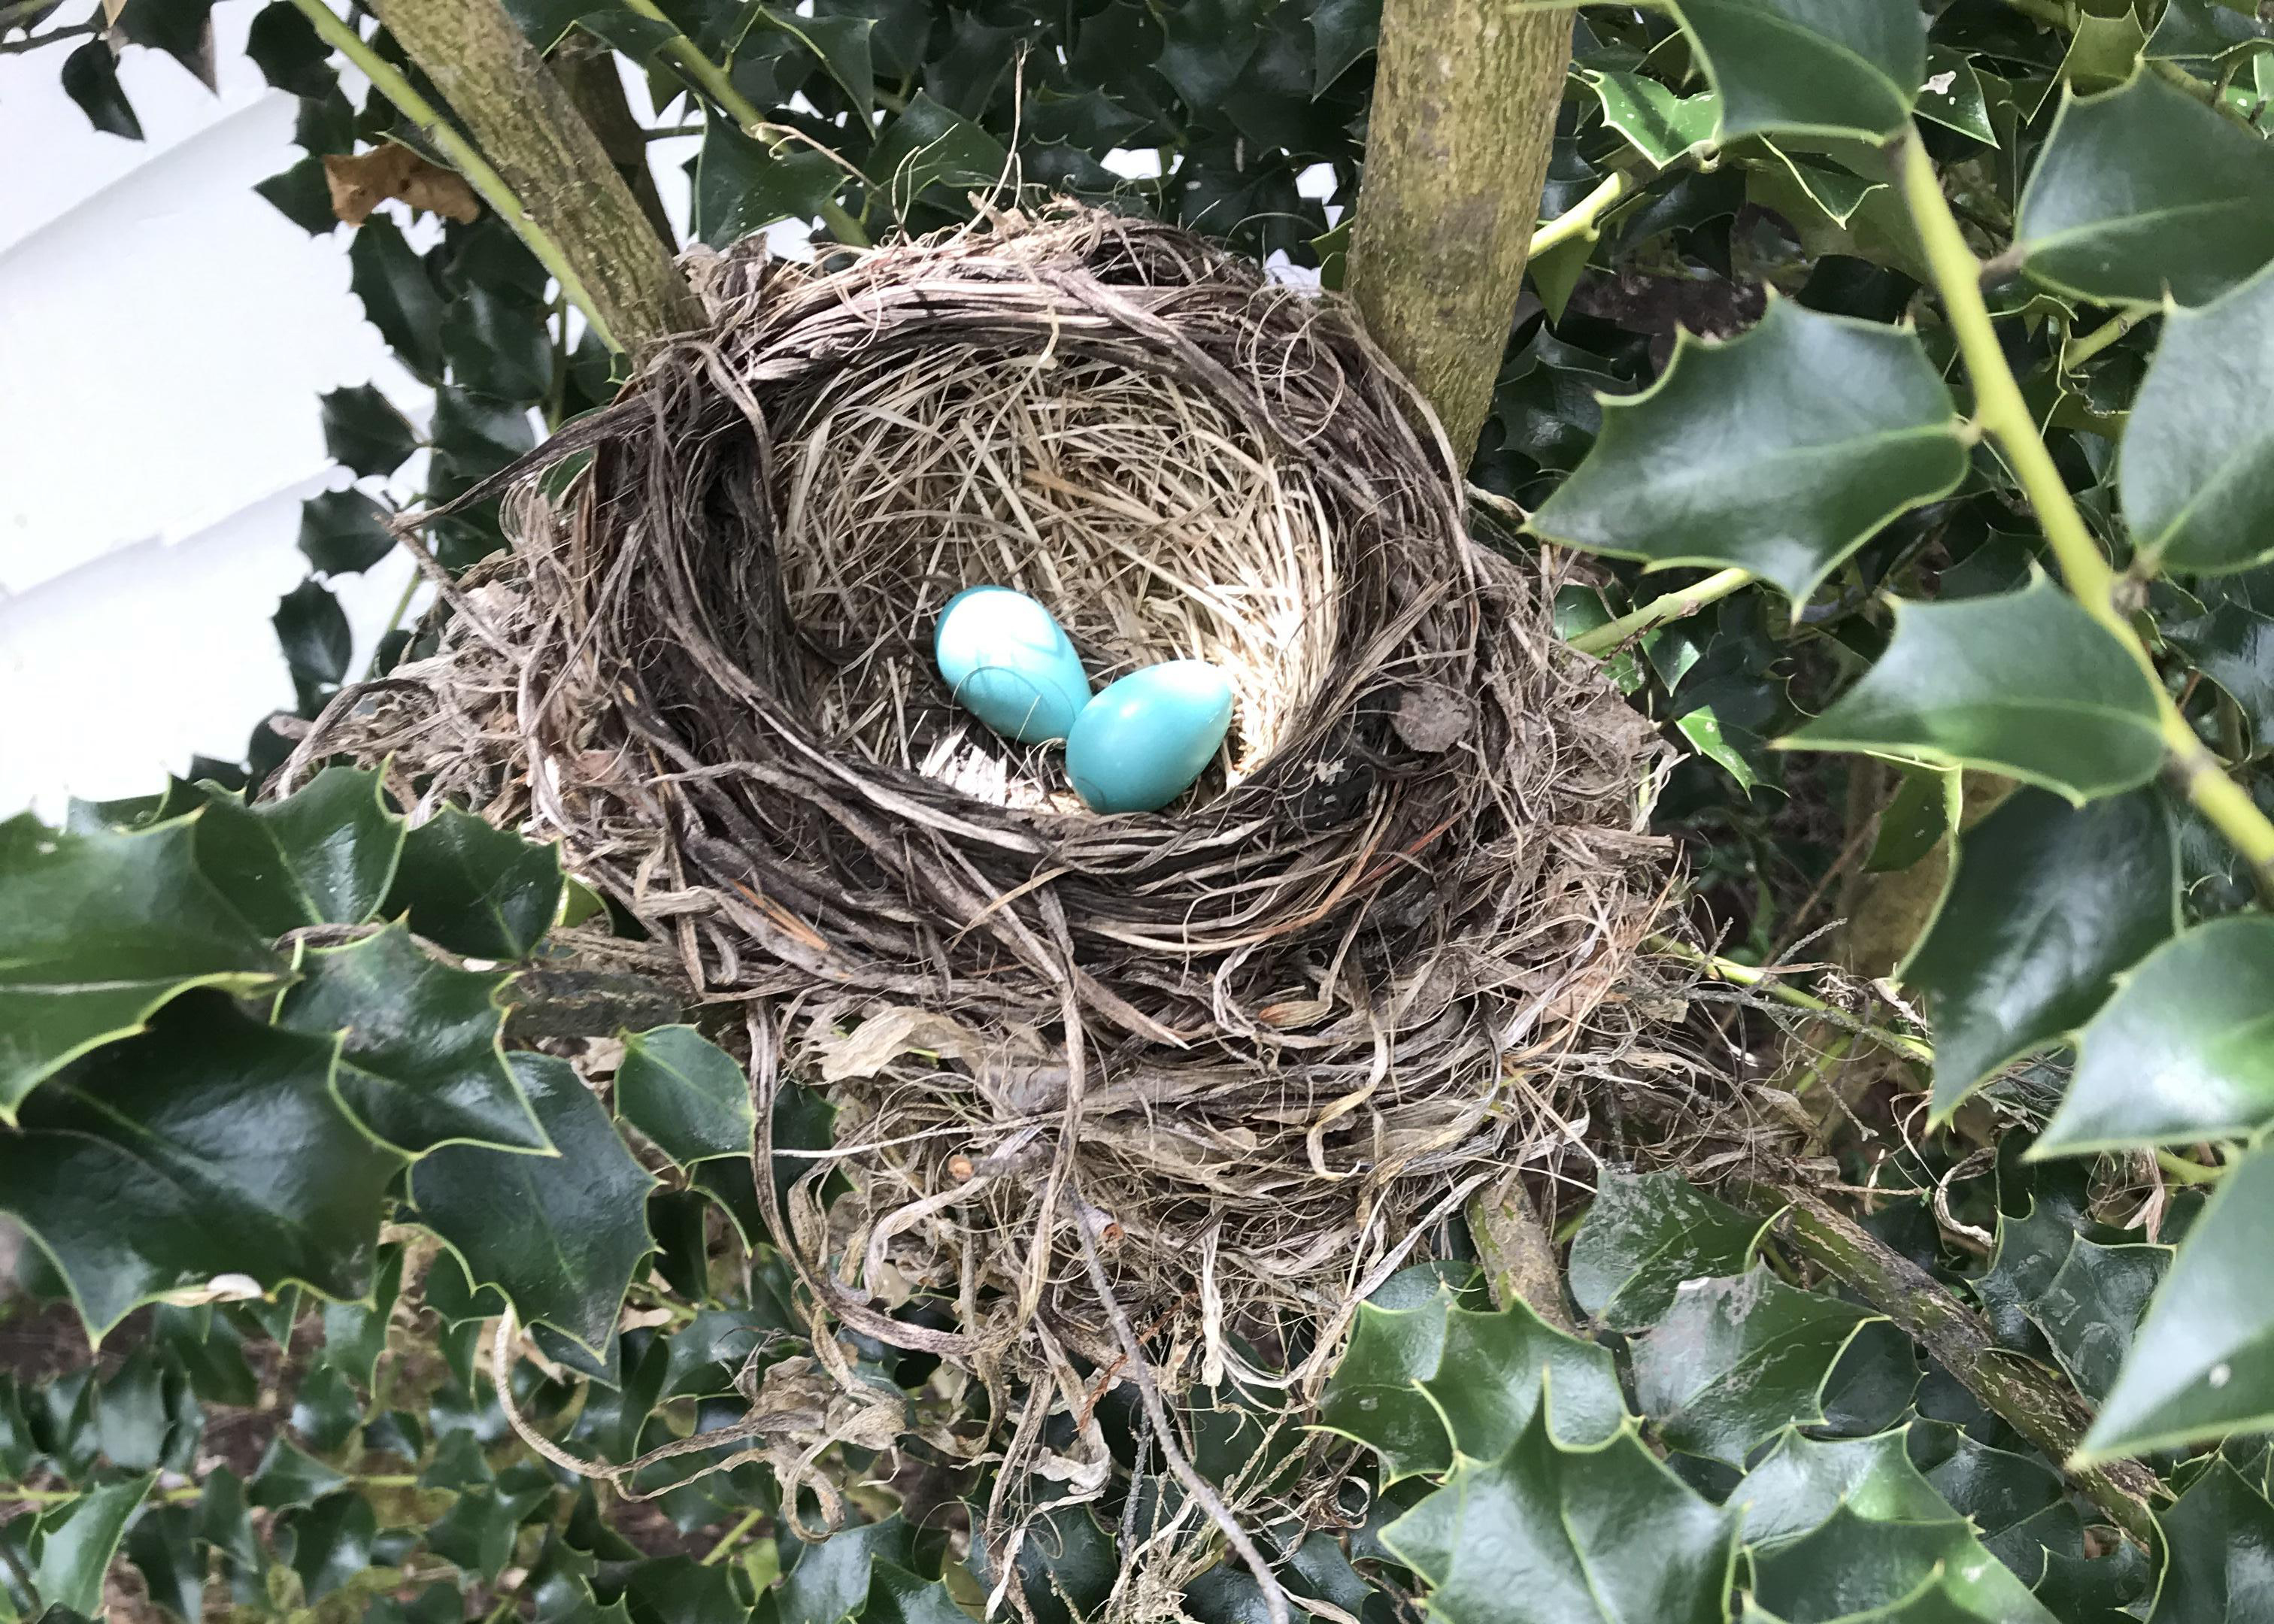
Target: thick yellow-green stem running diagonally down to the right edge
2005,415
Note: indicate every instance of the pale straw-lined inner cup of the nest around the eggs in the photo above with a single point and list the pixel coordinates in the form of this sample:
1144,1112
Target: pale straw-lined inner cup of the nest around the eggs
1129,504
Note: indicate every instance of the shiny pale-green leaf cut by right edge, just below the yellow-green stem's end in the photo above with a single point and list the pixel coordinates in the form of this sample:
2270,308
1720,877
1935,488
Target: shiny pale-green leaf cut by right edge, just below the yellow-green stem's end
2182,1052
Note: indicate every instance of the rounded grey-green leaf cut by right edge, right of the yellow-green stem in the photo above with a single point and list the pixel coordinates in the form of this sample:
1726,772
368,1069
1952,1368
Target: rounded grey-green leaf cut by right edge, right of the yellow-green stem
2198,472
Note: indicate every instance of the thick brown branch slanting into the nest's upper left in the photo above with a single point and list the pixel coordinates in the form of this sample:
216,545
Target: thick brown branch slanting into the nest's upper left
531,133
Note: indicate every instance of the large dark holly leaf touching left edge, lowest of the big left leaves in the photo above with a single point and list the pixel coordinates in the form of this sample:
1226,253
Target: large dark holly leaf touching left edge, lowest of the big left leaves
208,1147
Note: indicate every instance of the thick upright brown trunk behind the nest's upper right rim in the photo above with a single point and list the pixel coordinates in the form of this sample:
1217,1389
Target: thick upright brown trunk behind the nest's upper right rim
1459,138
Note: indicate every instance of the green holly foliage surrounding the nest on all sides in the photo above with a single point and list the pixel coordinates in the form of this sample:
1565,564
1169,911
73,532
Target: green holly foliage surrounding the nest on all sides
1970,513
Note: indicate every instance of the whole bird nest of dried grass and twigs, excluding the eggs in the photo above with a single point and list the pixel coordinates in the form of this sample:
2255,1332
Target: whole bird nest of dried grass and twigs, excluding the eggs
1229,1061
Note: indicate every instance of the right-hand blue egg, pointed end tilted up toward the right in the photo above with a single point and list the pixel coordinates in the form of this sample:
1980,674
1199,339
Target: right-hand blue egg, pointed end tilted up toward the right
1143,743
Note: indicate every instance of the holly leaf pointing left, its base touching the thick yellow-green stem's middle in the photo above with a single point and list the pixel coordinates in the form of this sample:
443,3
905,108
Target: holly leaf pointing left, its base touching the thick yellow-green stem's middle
2023,683
